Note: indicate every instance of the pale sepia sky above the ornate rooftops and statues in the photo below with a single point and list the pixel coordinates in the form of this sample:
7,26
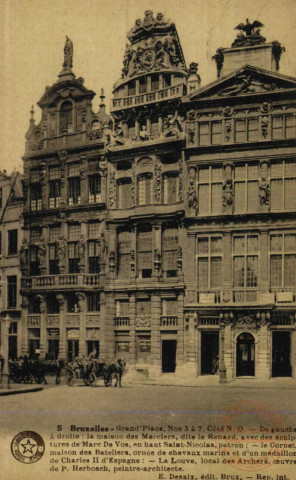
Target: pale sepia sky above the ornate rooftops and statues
33,35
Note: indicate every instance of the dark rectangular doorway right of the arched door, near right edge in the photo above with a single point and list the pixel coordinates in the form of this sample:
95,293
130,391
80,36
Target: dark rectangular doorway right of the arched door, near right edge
281,346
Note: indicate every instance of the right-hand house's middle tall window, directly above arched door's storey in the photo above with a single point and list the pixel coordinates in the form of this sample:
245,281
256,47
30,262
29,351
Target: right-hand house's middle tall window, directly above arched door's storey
245,261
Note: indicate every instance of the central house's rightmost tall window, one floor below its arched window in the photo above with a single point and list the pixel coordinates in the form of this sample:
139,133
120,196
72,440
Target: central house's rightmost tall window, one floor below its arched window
169,251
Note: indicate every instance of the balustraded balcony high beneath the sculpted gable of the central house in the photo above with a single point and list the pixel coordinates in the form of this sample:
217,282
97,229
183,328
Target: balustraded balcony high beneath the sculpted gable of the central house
145,98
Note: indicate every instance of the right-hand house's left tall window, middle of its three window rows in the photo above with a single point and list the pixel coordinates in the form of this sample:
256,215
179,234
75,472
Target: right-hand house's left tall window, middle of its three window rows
210,190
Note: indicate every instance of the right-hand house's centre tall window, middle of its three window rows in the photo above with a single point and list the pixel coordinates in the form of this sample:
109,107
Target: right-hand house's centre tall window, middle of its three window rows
246,191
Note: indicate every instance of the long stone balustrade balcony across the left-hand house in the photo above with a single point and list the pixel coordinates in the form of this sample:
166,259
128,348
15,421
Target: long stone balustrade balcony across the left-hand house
52,282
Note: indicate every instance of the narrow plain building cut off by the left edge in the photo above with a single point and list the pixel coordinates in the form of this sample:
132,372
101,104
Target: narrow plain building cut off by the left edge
11,235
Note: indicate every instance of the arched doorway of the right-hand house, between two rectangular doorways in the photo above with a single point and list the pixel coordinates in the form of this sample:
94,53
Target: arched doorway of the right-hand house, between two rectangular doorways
245,355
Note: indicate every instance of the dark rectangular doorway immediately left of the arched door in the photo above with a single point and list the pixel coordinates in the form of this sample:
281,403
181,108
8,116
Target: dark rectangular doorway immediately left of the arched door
209,353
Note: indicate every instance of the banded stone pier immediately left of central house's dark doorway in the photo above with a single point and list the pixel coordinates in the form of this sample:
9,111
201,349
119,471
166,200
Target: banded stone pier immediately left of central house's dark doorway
155,369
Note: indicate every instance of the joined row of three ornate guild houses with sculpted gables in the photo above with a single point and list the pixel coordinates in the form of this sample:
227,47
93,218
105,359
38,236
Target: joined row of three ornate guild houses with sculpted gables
164,233
